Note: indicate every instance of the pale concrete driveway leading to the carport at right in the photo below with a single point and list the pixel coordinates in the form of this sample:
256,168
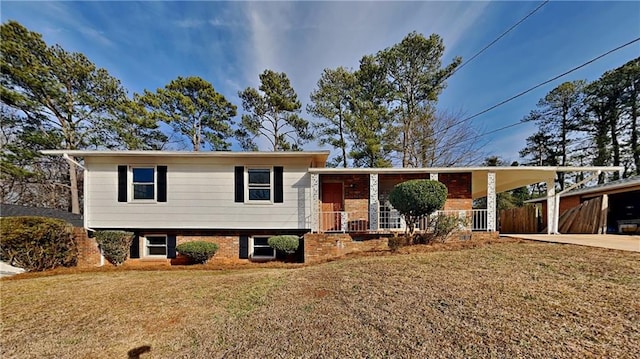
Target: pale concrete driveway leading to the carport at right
610,241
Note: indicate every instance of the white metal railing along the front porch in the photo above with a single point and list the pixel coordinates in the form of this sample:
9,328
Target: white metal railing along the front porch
391,220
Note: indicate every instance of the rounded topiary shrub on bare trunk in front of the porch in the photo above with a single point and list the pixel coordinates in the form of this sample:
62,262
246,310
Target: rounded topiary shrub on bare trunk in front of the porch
416,199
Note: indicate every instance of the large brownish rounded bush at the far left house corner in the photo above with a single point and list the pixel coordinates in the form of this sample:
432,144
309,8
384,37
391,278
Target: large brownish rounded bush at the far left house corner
37,243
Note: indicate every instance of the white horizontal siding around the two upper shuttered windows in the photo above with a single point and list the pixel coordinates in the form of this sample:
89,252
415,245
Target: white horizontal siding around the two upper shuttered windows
200,195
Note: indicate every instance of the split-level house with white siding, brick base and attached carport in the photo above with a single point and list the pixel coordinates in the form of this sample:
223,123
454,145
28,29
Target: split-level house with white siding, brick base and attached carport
239,199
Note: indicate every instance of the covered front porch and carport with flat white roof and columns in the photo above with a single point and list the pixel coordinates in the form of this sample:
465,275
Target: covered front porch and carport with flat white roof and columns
355,200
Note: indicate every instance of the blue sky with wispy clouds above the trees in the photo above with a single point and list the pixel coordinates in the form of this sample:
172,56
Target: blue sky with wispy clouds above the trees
148,44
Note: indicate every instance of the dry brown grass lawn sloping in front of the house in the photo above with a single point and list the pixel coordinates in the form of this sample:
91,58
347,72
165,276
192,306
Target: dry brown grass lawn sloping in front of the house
499,300
